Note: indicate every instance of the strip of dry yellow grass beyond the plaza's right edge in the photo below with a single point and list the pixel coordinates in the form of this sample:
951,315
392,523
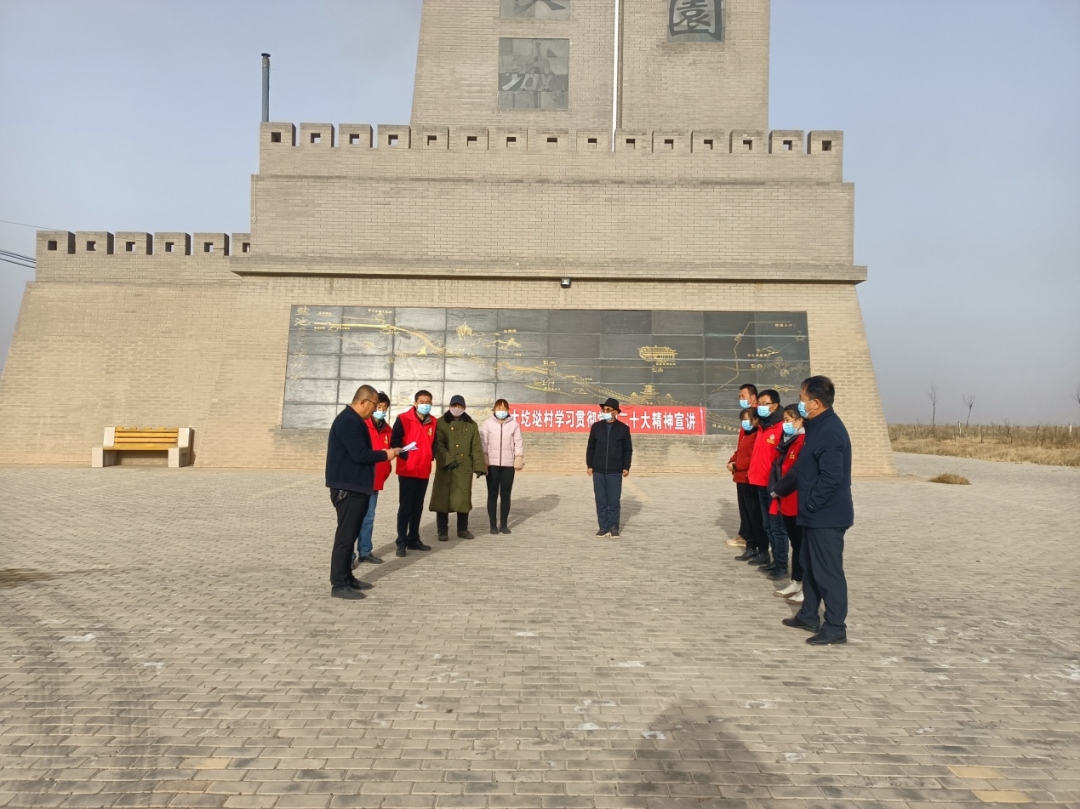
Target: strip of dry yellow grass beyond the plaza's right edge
1058,447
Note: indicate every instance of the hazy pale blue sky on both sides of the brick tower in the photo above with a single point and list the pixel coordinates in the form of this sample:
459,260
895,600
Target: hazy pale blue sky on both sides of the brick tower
963,138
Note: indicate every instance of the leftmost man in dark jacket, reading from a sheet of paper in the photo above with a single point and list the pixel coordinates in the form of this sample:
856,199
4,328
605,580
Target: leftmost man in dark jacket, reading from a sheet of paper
350,477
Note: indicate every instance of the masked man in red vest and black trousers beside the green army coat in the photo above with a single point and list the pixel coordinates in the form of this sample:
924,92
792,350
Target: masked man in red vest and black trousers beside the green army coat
417,427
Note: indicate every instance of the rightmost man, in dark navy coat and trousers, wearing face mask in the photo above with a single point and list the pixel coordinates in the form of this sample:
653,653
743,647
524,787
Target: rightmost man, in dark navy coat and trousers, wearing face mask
826,514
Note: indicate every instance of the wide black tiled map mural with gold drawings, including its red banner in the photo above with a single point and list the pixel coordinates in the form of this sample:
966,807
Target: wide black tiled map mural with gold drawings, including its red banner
679,372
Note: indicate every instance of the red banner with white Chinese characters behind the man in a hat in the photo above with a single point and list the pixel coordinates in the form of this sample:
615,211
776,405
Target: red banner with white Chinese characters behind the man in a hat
644,420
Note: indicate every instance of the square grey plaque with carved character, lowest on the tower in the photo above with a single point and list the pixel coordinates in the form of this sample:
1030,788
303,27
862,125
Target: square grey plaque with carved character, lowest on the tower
534,74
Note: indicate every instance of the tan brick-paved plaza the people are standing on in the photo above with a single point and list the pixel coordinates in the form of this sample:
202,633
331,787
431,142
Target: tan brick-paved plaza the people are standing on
168,639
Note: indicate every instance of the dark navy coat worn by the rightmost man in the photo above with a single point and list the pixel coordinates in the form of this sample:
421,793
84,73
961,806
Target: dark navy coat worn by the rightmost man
825,475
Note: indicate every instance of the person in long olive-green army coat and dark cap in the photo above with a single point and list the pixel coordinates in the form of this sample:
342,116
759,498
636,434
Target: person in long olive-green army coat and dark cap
460,455
